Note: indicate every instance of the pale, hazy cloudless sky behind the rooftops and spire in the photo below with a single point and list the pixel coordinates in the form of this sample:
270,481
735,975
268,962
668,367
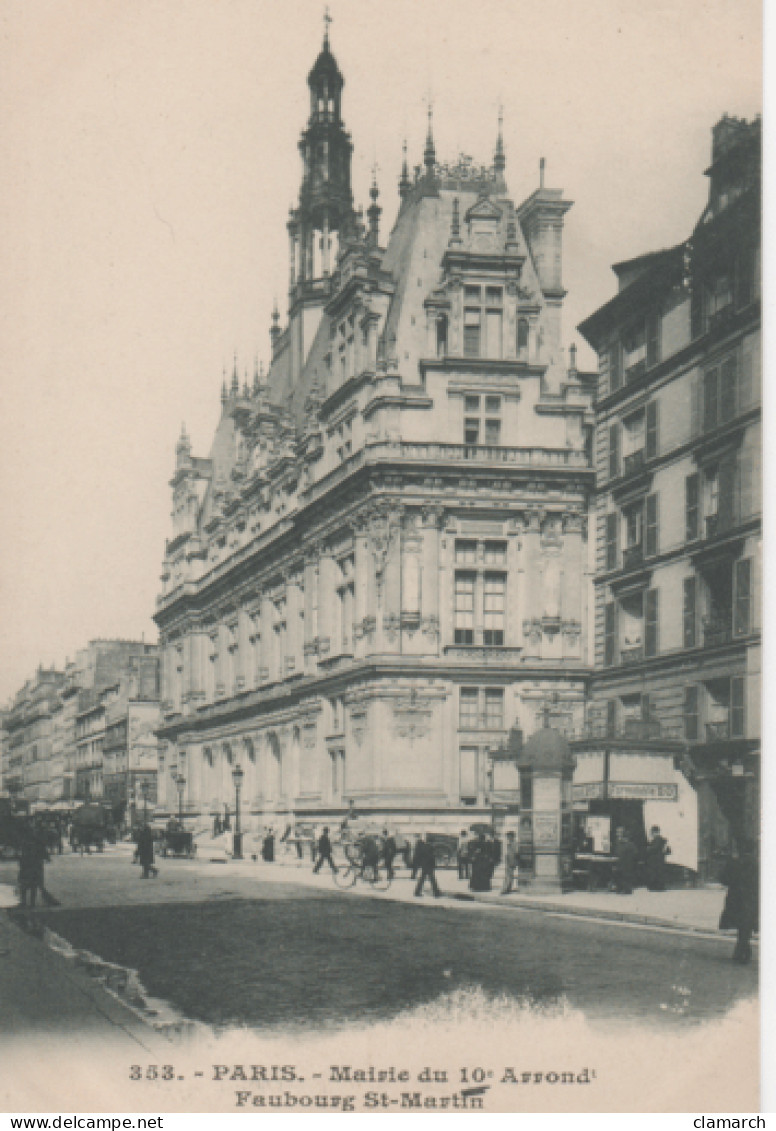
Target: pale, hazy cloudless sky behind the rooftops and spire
148,165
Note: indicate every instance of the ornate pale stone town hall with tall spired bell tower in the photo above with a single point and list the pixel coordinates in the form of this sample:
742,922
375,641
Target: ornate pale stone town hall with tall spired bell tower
384,565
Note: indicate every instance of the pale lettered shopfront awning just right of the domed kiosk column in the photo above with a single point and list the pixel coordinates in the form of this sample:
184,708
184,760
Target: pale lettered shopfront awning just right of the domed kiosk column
625,775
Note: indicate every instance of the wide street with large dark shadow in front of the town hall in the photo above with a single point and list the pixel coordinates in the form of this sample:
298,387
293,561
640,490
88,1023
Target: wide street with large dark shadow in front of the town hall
272,948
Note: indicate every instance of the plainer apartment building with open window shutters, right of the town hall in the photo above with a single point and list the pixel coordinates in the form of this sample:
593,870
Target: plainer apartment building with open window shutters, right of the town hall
679,522
